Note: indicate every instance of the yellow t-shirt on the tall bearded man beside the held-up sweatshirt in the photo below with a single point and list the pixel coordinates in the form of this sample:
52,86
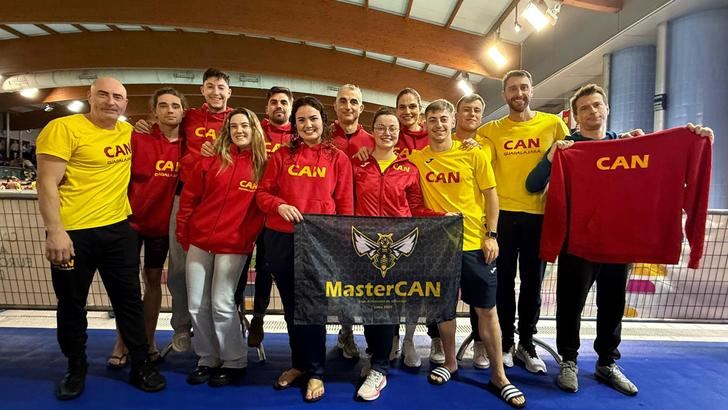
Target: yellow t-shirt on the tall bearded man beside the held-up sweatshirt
516,149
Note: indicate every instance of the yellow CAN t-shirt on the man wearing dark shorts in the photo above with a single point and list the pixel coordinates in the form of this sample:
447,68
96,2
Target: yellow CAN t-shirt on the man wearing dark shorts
453,181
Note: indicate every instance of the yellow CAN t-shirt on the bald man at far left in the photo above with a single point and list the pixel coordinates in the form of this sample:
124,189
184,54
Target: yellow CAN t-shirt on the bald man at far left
93,190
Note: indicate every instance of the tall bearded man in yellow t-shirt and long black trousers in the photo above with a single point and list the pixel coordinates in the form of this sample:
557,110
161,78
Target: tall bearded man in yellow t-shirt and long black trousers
517,143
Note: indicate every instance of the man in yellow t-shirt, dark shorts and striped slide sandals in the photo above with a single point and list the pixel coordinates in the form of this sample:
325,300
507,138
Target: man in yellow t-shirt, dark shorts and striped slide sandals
457,180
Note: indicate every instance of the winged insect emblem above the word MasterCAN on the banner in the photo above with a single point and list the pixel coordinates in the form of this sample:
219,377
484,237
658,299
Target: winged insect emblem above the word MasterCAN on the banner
383,252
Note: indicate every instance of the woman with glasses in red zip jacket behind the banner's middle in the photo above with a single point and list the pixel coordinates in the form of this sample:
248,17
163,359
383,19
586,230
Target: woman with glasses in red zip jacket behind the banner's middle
385,185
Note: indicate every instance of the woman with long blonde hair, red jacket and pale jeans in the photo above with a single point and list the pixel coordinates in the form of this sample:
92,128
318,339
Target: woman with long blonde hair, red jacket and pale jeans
217,222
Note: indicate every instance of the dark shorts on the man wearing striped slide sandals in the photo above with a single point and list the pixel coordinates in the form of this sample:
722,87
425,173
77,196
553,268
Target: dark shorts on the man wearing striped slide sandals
478,280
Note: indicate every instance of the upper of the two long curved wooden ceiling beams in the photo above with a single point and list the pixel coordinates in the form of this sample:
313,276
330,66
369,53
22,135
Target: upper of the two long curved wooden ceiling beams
438,45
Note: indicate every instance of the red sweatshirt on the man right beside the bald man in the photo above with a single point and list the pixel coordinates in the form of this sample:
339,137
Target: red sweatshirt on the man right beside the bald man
154,166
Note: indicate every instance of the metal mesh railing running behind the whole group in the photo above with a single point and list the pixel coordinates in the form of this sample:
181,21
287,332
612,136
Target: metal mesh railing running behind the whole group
654,292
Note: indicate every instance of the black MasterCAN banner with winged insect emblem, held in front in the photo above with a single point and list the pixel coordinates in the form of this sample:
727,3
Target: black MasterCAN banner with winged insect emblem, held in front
374,270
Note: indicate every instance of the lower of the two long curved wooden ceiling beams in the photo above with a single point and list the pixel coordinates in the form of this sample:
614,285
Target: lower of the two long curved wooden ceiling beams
88,51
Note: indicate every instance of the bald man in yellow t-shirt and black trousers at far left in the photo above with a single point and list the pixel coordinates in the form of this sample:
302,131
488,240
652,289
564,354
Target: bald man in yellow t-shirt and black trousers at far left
83,174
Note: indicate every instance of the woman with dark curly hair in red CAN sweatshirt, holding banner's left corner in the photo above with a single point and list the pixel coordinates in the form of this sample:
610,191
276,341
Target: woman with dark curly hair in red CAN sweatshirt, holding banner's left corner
310,175
